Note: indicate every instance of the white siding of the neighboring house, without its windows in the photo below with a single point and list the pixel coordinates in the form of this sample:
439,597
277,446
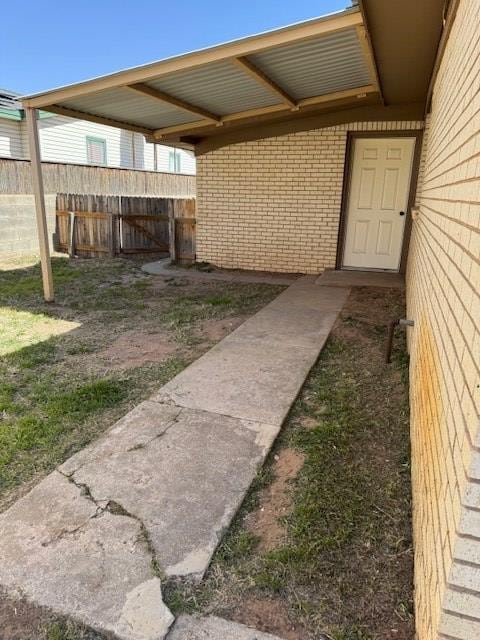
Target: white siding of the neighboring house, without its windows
64,140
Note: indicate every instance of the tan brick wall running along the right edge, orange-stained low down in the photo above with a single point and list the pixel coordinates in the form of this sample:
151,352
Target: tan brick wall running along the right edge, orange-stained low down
443,288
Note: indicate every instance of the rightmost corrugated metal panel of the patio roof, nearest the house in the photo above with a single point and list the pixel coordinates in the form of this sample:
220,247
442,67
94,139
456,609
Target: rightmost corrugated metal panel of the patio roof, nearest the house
317,66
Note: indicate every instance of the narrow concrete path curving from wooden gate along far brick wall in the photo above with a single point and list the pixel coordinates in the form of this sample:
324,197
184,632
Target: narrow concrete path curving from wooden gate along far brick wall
164,268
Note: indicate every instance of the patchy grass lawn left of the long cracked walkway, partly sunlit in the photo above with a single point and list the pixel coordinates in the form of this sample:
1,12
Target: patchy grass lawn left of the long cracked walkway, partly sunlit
68,370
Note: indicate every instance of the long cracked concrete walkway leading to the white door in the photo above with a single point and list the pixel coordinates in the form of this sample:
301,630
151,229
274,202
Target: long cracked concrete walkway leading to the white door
153,496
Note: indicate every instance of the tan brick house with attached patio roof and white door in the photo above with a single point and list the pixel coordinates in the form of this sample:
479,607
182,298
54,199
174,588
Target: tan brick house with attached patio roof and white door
351,142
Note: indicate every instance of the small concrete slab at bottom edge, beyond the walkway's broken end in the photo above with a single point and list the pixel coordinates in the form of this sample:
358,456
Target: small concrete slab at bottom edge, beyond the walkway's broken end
212,628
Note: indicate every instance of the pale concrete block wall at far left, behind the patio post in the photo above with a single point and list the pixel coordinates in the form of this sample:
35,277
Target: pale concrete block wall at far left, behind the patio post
18,224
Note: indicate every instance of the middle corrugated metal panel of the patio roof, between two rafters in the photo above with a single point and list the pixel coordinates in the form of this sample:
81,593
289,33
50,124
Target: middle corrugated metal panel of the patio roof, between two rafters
219,87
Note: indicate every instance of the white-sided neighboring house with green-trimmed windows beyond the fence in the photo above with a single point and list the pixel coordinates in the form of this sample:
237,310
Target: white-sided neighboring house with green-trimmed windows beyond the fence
66,140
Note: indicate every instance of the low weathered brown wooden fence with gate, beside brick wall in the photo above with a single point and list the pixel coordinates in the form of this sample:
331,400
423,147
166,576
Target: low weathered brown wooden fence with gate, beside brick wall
88,225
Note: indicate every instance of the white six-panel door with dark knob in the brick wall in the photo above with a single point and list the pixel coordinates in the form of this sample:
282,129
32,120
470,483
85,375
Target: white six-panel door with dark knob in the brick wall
377,202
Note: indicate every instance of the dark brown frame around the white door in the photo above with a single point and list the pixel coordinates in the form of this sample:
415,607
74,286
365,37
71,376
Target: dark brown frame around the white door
347,174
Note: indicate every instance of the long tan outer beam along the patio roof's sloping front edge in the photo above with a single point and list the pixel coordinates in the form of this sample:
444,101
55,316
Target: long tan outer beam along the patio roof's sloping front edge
246,46
